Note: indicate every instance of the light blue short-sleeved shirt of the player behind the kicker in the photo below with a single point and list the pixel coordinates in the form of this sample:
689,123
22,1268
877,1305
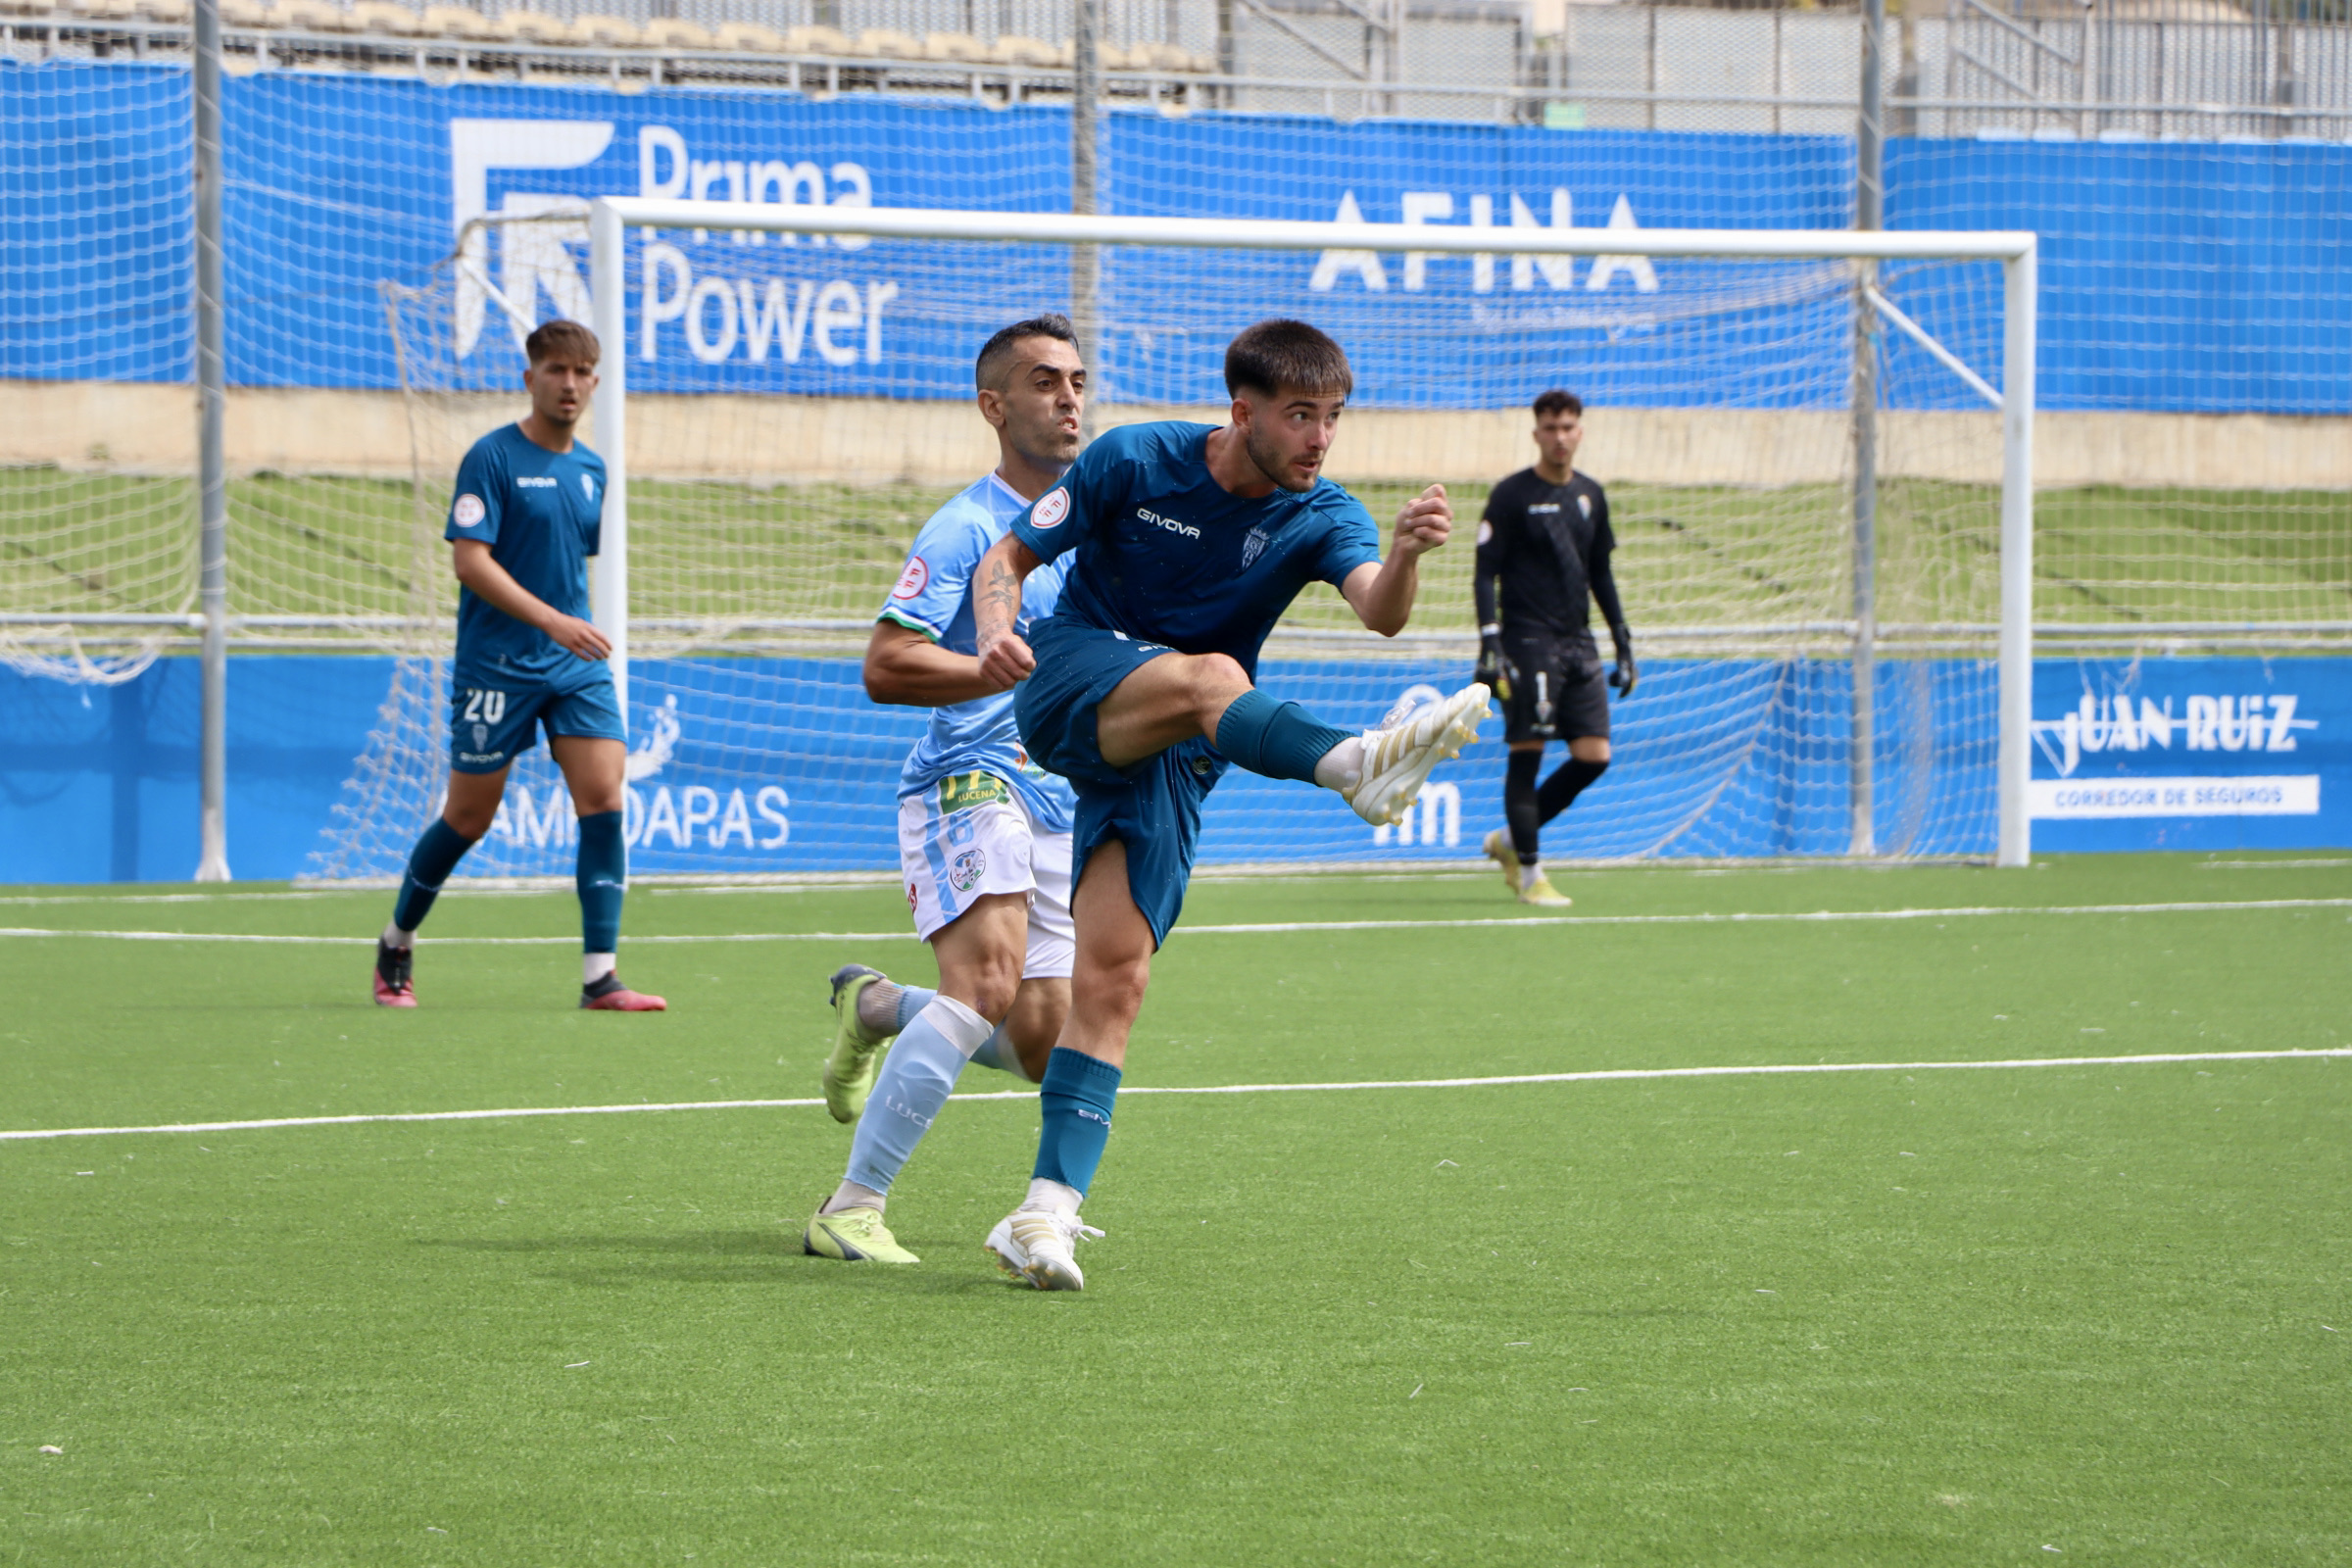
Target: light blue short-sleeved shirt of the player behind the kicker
935,598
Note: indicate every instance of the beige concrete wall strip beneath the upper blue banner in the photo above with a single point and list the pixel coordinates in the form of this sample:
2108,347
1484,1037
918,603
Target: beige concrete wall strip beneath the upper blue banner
782,441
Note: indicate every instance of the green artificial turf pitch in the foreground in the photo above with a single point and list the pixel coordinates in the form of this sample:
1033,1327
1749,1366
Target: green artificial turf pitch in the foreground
1883,1318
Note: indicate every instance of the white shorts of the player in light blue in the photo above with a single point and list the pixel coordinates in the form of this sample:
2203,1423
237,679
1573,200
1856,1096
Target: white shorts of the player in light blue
968,838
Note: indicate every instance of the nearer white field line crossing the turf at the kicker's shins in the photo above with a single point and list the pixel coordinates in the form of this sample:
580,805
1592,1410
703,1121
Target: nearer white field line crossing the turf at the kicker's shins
1608,1076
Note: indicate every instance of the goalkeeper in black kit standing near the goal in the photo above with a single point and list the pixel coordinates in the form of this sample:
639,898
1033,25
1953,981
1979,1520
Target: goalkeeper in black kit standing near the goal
1542,549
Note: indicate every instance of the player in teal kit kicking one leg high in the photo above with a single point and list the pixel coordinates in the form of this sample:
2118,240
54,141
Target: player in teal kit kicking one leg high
1140,690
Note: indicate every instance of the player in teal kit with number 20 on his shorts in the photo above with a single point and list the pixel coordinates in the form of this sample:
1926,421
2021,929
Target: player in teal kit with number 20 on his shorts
528,511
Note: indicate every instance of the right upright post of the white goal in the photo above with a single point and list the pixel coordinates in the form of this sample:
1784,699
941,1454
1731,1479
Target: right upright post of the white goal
2017,702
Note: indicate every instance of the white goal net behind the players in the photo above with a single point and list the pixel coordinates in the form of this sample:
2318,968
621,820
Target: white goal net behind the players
1810,535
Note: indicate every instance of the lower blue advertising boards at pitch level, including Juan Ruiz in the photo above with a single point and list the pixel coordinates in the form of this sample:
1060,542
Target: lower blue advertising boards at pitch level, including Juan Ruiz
789,768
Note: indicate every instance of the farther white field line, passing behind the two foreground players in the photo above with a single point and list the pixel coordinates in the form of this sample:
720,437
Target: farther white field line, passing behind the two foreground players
1252,930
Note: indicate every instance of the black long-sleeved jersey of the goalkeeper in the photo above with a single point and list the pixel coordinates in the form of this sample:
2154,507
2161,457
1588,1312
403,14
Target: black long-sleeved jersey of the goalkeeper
1549,544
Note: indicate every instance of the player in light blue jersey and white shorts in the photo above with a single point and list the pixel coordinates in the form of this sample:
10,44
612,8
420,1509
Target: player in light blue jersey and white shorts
984,833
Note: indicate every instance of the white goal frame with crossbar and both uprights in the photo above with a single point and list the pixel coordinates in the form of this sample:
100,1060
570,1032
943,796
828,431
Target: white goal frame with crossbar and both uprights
2014,253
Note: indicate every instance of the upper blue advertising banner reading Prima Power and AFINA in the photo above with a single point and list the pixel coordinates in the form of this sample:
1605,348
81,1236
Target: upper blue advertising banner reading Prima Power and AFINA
2174,276
